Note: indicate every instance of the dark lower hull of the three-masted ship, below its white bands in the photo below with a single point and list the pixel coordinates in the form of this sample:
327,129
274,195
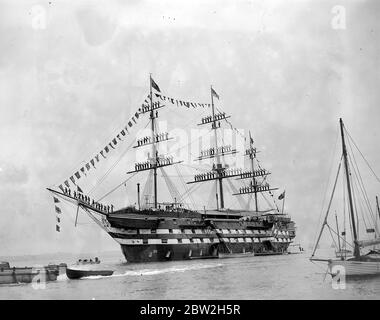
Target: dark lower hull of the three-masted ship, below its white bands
169,252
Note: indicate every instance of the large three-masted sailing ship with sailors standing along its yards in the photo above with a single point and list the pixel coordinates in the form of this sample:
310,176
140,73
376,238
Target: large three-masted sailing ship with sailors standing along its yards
172,230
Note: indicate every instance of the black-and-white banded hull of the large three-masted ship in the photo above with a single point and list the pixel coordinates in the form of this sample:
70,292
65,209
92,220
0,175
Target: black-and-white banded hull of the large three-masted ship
166,236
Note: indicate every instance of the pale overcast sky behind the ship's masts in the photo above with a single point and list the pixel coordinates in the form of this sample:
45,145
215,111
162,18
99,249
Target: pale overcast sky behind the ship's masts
72,73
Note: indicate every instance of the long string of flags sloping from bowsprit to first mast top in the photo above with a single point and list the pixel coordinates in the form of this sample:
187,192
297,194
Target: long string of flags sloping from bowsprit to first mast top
102,153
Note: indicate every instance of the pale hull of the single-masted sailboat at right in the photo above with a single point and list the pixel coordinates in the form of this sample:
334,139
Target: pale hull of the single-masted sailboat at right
352,268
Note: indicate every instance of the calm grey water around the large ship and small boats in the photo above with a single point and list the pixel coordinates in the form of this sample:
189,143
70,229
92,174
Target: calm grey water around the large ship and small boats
272,277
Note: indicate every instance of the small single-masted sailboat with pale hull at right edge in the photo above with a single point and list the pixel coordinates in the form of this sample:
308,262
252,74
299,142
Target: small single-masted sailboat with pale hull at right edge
360,263
